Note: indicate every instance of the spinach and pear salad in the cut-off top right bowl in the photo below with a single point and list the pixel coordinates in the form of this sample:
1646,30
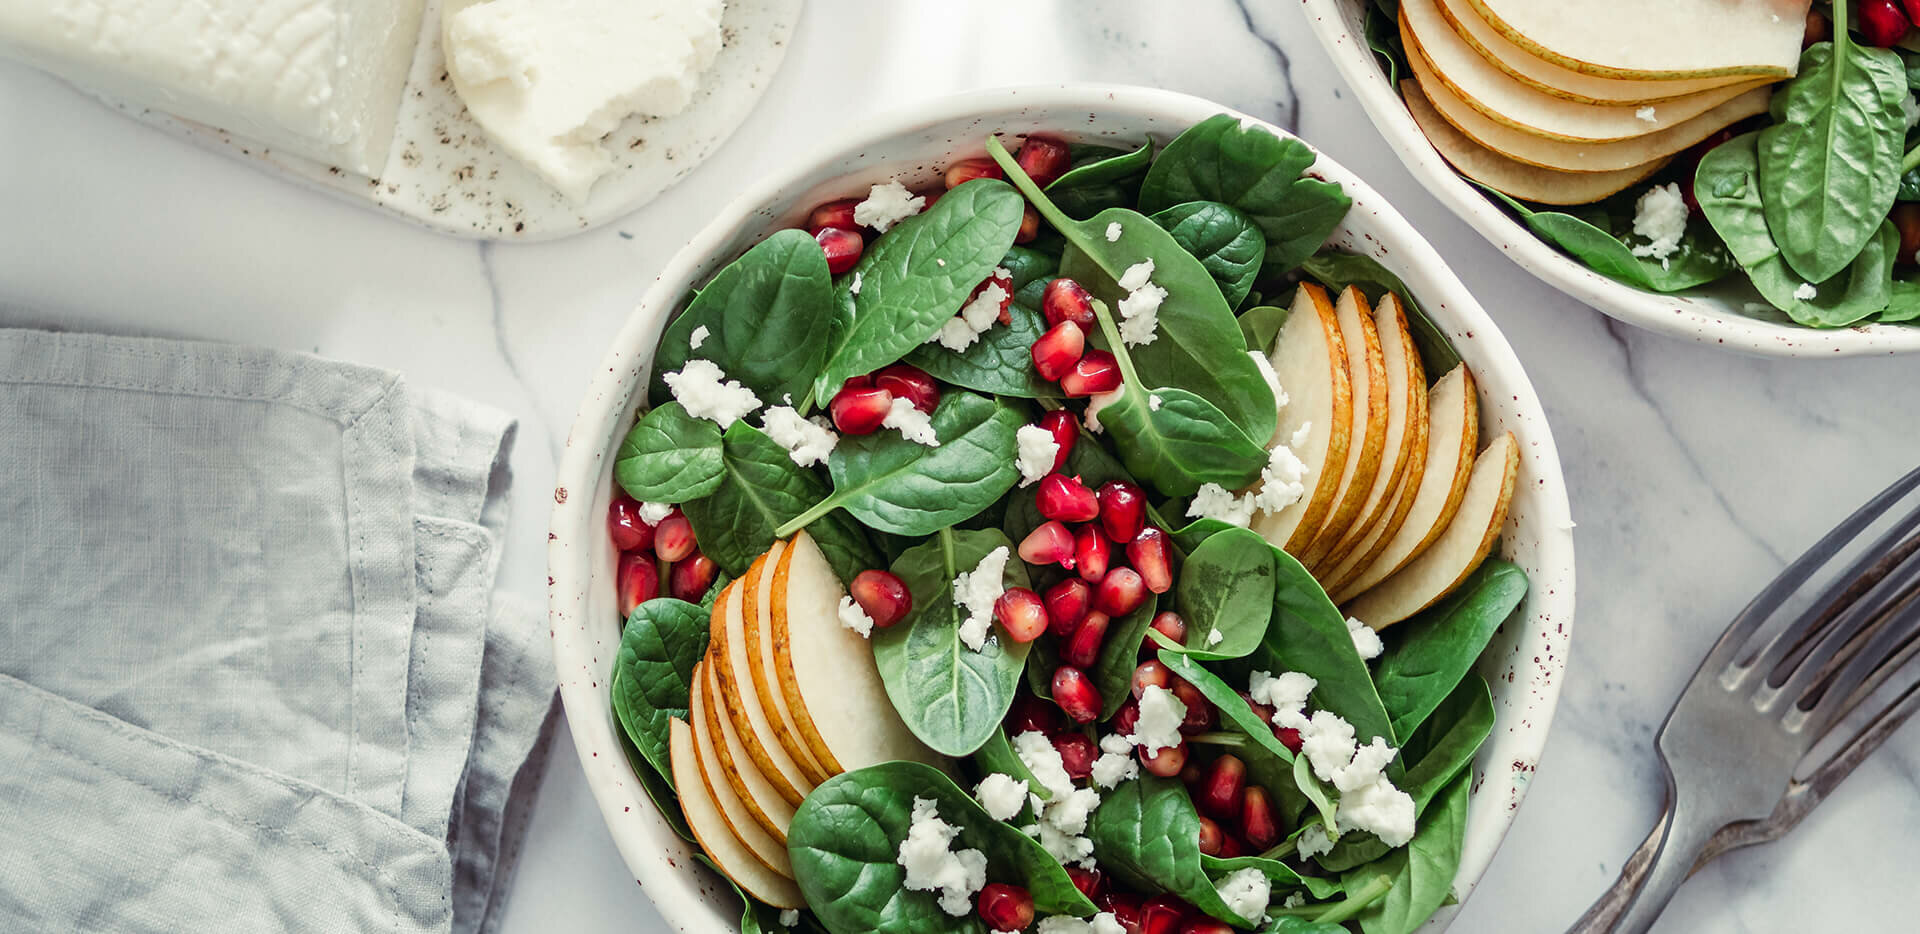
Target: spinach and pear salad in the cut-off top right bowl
1779,164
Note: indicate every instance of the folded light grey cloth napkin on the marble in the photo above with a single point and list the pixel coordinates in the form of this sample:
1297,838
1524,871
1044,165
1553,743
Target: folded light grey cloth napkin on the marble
254,674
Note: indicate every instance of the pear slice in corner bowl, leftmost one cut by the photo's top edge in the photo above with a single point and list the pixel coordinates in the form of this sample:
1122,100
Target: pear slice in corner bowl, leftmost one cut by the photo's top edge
1504,99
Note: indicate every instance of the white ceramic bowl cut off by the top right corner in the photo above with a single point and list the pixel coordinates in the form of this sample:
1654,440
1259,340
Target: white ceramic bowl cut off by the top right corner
1710,316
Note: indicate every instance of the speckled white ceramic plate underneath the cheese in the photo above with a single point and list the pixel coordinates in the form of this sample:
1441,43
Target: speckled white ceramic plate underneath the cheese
448,176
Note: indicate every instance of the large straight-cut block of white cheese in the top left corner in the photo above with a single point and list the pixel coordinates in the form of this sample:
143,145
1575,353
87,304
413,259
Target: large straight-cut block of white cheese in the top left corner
312,78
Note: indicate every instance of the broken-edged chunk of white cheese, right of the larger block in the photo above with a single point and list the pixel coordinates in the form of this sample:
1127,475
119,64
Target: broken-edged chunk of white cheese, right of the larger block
550,78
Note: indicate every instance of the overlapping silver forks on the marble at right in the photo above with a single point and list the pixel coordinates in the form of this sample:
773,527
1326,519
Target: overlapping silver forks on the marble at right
1812,649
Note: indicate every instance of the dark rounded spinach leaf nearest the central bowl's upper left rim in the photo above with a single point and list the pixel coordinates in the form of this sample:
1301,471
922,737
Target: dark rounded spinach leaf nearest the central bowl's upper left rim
767,314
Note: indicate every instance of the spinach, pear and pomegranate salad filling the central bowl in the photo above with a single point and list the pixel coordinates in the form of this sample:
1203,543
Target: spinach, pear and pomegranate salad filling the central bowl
1072,547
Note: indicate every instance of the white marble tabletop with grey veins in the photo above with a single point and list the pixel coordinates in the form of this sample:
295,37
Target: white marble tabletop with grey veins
1694,476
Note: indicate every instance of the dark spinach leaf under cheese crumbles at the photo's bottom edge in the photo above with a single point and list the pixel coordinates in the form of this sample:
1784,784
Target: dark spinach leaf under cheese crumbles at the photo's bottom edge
846,845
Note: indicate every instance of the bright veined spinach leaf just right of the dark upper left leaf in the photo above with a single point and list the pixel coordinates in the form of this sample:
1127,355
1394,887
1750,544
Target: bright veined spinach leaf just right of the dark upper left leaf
919,274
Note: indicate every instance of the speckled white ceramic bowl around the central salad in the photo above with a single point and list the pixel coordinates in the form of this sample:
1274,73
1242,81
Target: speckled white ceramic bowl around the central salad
1525,664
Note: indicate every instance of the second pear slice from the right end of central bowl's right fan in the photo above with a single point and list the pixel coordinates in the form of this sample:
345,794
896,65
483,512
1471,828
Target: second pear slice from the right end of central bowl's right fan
1452,437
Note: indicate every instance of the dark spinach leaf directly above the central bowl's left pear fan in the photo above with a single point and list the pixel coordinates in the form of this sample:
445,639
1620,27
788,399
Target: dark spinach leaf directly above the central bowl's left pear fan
759,491
